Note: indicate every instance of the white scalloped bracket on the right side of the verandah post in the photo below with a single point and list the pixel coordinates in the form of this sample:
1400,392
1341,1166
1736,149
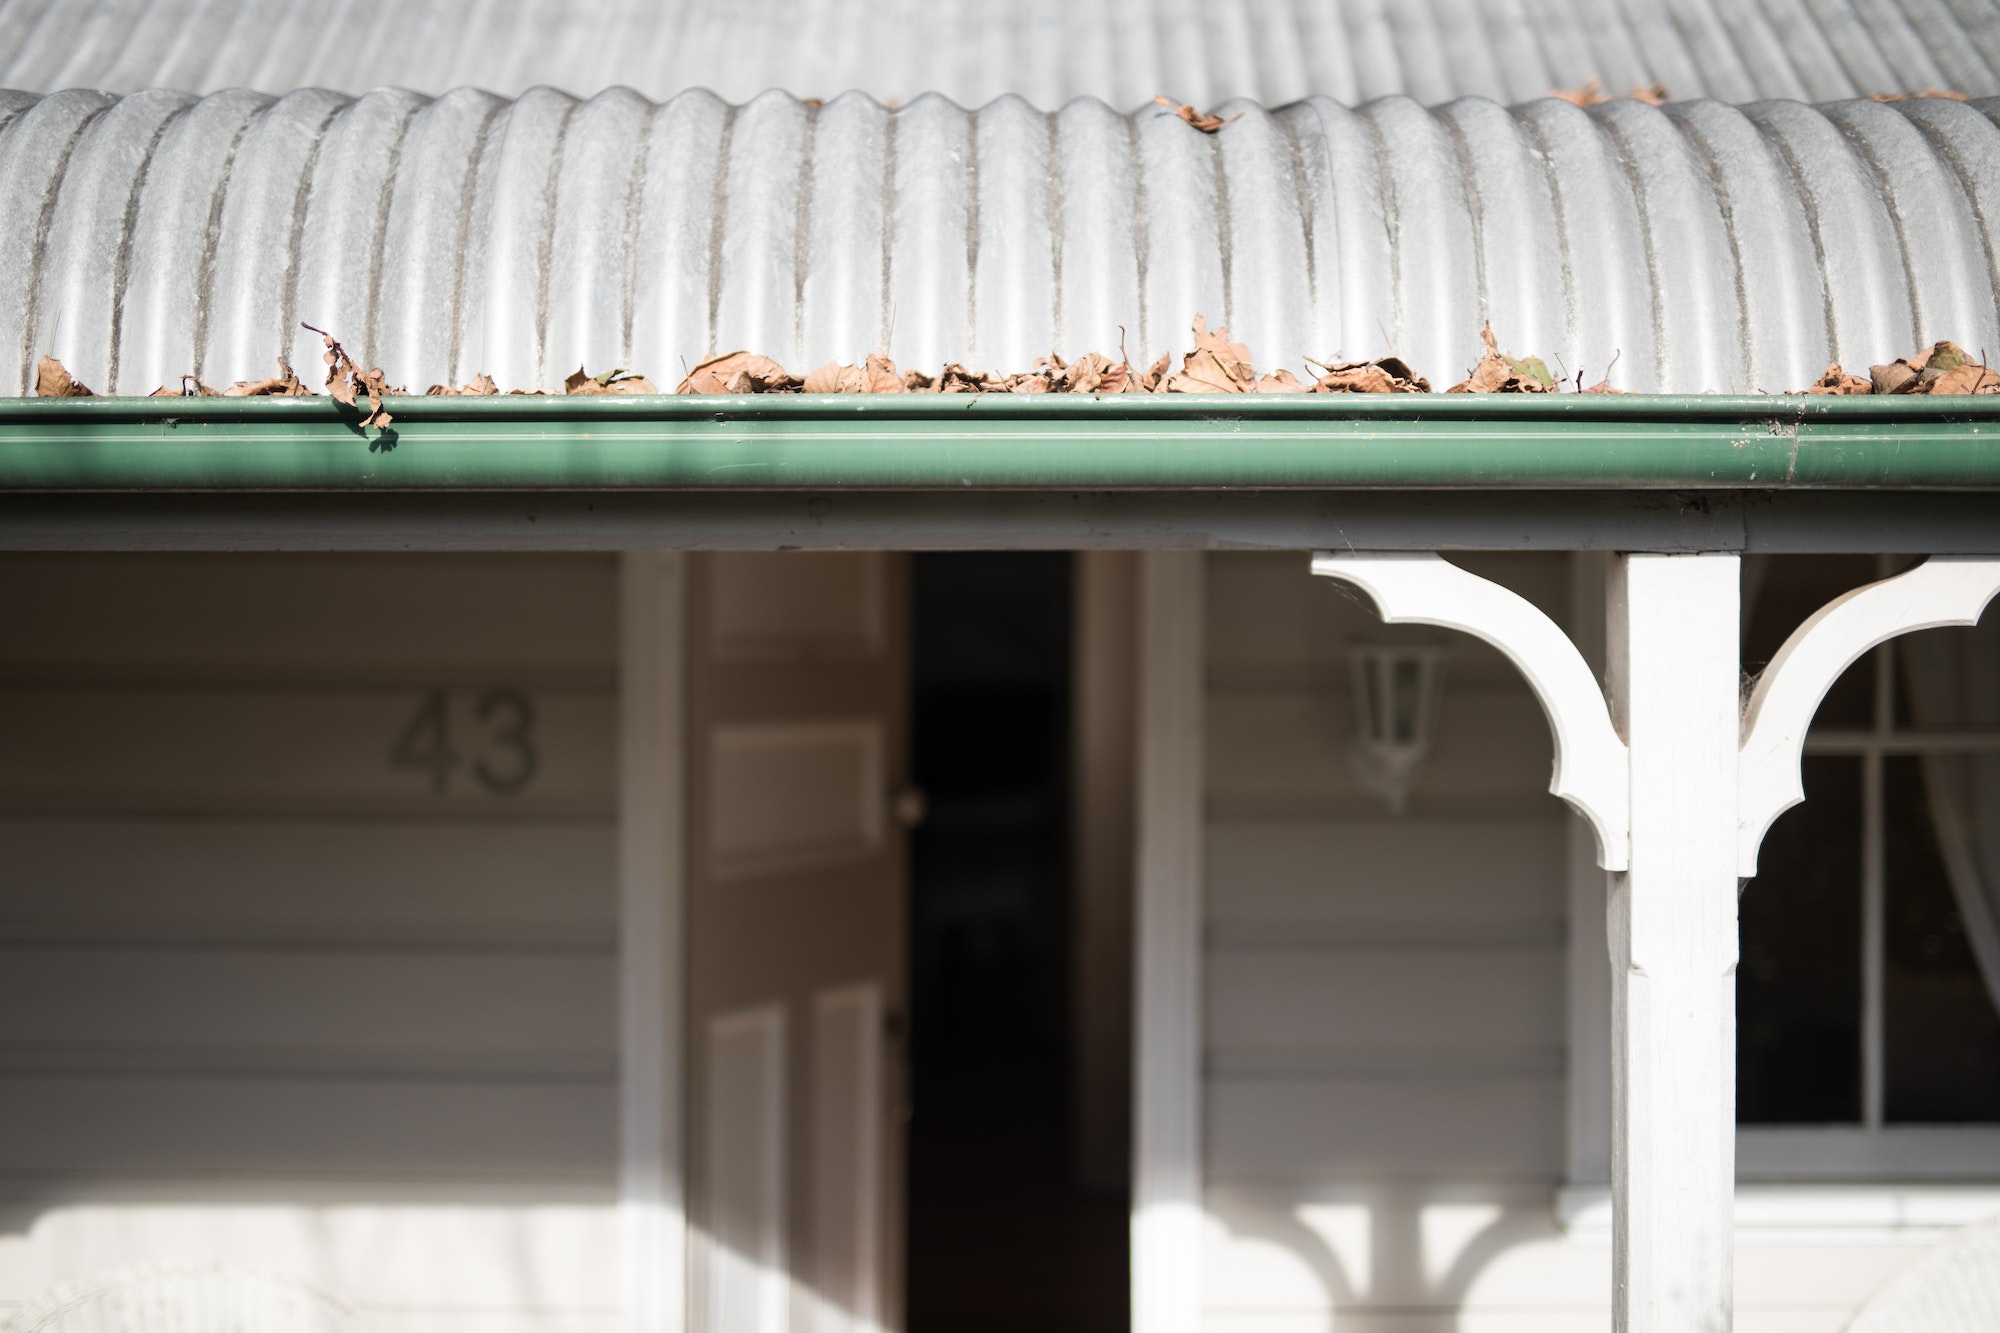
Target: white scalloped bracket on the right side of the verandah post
1939,591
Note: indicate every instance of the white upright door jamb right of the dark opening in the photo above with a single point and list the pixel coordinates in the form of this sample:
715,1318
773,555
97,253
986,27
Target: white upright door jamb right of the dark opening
1167,1074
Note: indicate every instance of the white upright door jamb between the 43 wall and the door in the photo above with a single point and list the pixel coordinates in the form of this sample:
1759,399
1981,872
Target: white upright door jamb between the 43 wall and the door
651,920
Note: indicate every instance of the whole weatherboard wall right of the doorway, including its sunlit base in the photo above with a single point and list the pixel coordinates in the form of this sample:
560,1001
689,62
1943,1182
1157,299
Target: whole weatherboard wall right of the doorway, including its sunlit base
1387,1002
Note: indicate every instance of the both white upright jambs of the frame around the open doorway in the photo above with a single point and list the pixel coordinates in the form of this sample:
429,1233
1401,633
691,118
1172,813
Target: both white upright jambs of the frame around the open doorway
1167,1188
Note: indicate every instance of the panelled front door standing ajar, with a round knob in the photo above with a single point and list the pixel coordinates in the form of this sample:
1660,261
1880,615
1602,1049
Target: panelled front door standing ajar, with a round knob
797,940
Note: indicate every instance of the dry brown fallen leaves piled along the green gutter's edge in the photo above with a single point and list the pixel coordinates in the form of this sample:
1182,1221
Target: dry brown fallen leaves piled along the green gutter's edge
1213,367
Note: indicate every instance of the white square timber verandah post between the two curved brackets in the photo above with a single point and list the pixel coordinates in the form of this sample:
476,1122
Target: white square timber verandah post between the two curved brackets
1673,676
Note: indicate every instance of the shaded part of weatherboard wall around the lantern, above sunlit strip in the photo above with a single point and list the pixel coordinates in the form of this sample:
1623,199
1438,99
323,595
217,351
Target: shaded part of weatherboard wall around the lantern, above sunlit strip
1385,994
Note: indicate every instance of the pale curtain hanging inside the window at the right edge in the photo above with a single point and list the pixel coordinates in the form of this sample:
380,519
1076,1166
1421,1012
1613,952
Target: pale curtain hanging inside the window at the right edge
1955,684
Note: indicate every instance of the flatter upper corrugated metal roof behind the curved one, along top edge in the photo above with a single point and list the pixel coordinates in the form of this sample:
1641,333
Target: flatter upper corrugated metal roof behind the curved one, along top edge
1047,51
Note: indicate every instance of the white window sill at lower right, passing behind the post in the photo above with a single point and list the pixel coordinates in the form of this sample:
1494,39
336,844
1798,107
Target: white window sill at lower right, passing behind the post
1815,1214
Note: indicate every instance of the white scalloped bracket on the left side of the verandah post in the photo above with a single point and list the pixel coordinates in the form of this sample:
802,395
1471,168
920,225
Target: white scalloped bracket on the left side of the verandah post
1591,762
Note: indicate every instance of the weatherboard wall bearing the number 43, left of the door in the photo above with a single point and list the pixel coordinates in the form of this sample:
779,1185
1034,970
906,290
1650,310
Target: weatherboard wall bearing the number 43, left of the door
273,998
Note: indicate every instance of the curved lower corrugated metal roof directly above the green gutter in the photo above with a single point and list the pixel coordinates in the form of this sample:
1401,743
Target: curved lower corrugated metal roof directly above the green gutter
1703,247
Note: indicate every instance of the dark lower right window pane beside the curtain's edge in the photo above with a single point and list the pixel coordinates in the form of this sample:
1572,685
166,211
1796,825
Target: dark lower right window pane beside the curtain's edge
1941,1032
